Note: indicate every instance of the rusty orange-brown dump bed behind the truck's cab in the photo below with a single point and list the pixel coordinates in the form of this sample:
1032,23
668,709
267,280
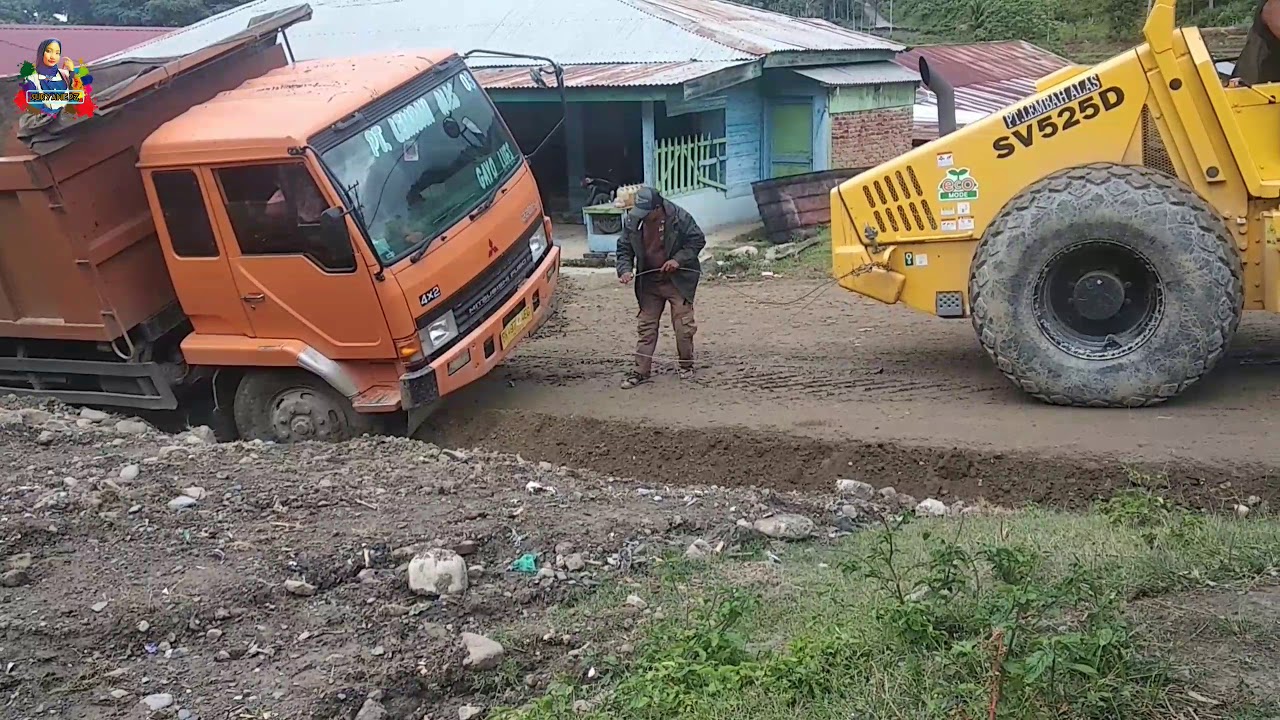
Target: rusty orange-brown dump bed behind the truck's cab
80,258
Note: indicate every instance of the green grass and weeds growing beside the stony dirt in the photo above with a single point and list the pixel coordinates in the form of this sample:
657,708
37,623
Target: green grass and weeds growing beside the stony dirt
944,619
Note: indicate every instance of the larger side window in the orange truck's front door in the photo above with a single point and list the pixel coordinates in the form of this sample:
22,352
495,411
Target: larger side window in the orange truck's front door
276,211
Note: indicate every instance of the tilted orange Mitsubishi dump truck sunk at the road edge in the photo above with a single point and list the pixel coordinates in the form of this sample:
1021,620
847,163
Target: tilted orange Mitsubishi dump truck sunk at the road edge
307,248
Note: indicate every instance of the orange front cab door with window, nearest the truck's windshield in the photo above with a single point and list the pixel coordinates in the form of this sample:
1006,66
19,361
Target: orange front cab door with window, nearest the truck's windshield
292,284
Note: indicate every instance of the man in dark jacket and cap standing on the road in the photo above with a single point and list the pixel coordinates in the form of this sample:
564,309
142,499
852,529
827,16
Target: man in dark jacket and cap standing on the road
659,249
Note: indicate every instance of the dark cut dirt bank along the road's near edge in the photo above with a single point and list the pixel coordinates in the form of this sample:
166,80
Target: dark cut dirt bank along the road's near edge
735,457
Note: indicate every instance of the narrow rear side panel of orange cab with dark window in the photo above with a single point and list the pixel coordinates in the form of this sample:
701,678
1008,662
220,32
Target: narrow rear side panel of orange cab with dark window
198,262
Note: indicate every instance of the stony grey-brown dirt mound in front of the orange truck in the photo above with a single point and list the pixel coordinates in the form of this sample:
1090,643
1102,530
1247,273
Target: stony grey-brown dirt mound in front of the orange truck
239,580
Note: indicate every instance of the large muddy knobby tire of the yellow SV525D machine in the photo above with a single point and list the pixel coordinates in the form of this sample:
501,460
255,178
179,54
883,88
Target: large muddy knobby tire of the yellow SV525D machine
1107,239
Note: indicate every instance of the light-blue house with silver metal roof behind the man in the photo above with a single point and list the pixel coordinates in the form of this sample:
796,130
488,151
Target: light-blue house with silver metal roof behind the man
698,98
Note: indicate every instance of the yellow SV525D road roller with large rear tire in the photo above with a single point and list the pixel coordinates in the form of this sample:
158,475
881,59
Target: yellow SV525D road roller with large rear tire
1104,236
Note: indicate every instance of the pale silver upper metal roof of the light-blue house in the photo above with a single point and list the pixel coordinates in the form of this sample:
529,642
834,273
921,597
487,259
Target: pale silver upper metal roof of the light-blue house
569,31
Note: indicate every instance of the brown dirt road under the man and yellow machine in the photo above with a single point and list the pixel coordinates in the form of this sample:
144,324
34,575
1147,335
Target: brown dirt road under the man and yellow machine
834,385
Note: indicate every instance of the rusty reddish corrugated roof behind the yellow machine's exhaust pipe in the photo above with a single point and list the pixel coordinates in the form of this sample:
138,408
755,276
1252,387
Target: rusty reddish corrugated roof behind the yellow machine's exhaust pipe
988,79
